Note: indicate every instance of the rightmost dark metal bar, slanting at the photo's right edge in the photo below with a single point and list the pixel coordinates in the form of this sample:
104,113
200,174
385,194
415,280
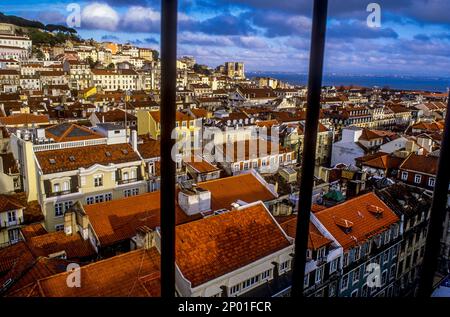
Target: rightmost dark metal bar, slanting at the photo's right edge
437,214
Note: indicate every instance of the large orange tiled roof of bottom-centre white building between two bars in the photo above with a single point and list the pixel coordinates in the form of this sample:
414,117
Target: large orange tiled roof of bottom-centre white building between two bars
214,246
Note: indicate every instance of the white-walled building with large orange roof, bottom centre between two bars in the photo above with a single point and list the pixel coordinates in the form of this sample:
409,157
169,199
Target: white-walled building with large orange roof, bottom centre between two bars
261,252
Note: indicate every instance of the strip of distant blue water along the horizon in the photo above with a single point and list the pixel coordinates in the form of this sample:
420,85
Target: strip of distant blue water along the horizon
395,82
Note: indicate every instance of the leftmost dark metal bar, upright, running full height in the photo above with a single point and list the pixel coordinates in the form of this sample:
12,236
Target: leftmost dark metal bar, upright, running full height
168,99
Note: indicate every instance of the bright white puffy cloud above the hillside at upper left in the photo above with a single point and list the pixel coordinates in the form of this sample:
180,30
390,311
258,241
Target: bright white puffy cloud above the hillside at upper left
99,16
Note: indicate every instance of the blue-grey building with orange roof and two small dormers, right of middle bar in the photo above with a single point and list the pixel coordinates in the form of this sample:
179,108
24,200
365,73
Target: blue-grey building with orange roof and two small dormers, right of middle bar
369,233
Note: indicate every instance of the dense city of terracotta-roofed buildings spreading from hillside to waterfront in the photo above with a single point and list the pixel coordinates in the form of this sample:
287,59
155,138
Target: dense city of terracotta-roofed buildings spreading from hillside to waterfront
81,175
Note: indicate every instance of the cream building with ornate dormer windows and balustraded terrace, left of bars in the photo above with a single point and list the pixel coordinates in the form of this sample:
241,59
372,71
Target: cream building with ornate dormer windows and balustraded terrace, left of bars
73,163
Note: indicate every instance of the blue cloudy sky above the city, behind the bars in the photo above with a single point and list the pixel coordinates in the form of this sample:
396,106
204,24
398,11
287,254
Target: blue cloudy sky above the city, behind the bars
413,38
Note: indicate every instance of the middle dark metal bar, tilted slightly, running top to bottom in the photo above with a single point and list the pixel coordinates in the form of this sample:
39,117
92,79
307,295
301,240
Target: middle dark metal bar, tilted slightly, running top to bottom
309,147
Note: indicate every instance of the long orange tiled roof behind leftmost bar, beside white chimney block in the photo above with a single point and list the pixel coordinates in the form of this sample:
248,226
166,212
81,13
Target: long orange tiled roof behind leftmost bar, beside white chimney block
117,220
